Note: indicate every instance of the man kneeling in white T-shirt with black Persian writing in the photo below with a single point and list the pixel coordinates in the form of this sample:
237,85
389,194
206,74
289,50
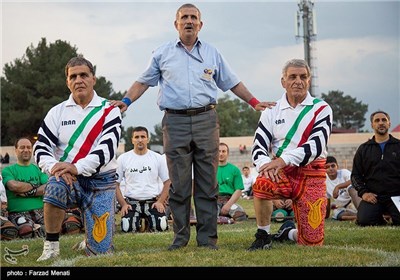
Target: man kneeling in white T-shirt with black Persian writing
144,206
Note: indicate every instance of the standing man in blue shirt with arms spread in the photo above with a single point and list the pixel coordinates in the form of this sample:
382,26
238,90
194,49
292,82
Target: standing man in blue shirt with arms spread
189,72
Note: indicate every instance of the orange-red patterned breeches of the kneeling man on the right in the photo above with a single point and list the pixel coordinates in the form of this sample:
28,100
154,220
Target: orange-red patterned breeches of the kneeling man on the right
306,186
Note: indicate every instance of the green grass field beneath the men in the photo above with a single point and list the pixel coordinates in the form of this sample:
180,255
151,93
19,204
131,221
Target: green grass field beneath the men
346,244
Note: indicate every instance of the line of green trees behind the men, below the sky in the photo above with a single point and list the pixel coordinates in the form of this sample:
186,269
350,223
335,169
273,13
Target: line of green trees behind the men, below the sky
34,83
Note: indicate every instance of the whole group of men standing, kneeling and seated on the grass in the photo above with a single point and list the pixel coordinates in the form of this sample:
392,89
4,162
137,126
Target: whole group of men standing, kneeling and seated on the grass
77,178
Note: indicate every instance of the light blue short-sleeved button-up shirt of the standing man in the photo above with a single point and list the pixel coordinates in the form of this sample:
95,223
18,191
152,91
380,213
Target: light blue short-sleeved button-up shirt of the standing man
188,79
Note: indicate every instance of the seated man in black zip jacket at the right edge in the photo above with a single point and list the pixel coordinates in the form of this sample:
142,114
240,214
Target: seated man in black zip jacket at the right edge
376,175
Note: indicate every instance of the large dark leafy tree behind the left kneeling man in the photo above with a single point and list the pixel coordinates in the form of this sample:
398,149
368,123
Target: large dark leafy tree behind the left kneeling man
35,83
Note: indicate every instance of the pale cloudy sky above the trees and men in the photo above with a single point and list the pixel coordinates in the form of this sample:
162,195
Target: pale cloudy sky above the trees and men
357,44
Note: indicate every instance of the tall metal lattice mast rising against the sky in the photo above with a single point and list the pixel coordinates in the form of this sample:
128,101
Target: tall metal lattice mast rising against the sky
306,18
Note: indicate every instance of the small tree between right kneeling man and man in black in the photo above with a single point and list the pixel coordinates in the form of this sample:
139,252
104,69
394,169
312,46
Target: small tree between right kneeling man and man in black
347,112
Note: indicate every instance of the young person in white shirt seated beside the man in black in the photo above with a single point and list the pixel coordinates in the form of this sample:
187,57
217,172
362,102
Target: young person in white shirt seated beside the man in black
338,188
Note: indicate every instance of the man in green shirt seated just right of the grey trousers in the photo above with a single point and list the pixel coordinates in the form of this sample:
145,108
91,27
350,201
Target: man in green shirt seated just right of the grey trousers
230,187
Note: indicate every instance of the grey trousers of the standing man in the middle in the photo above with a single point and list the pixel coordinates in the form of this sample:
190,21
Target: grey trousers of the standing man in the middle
192,142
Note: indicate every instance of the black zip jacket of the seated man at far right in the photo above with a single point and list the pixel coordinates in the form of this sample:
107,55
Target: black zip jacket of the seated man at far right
377,172
